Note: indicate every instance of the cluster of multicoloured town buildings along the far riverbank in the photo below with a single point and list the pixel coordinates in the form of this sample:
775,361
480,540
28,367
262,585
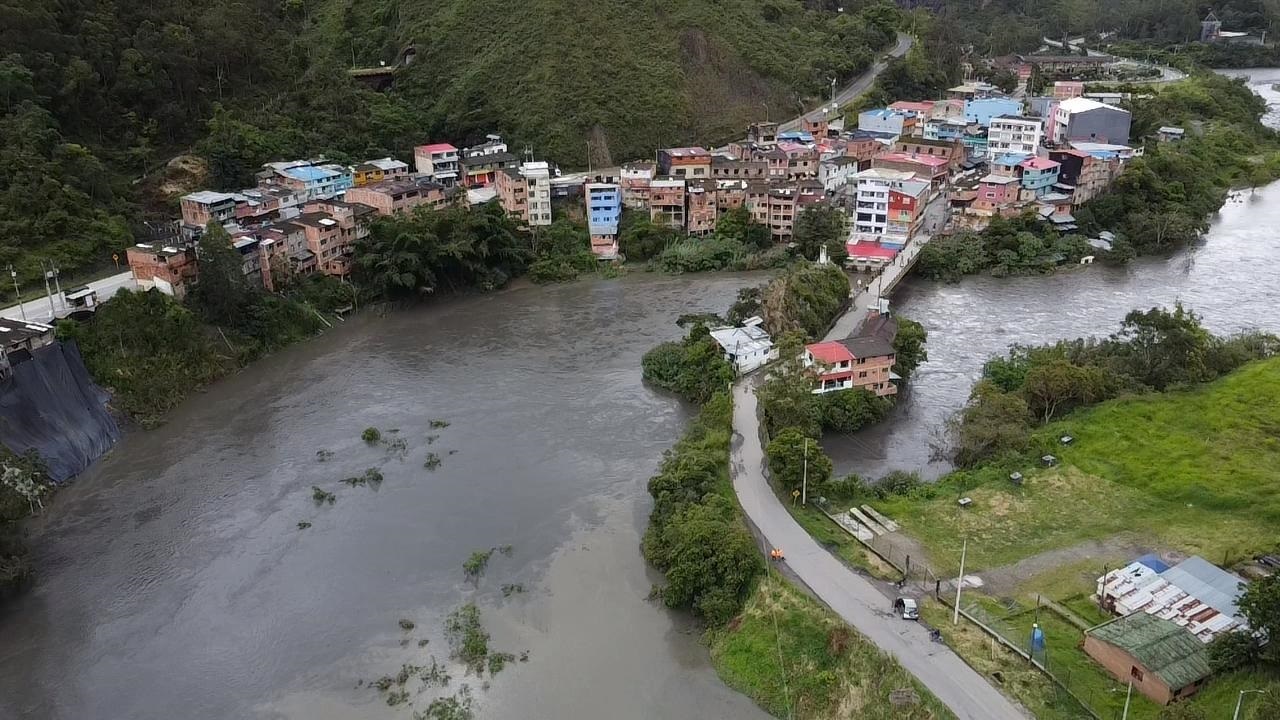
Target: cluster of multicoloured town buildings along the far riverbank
975,154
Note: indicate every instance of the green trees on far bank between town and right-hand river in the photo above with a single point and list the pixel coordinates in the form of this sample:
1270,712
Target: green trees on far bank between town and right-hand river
1160,203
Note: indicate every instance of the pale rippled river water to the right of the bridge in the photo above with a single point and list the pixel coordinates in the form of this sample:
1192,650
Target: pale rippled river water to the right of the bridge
1229,279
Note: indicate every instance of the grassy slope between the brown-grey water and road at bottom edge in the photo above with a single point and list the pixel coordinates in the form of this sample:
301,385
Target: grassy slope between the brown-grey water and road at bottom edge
799,660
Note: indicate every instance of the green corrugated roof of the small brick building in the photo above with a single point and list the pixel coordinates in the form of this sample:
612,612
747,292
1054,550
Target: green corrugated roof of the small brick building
1163,648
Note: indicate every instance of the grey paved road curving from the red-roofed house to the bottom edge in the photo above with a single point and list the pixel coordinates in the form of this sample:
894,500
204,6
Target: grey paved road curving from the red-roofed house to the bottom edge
853,598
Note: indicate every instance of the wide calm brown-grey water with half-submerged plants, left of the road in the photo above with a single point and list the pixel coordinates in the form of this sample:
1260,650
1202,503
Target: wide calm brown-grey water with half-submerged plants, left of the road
176,584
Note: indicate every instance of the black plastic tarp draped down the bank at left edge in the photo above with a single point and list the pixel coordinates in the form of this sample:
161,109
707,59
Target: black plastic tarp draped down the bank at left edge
51,405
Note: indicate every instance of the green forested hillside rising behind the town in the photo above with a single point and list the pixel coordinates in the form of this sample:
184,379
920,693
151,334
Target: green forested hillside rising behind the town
97,97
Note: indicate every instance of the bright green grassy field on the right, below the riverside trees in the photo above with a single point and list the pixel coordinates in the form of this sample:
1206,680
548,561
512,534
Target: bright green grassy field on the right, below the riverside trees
1192,471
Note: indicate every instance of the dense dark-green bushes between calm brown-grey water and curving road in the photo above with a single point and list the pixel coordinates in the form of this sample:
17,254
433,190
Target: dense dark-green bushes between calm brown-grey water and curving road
696,535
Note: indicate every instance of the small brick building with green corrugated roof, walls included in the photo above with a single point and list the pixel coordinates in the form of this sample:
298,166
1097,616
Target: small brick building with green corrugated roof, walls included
1162,660
